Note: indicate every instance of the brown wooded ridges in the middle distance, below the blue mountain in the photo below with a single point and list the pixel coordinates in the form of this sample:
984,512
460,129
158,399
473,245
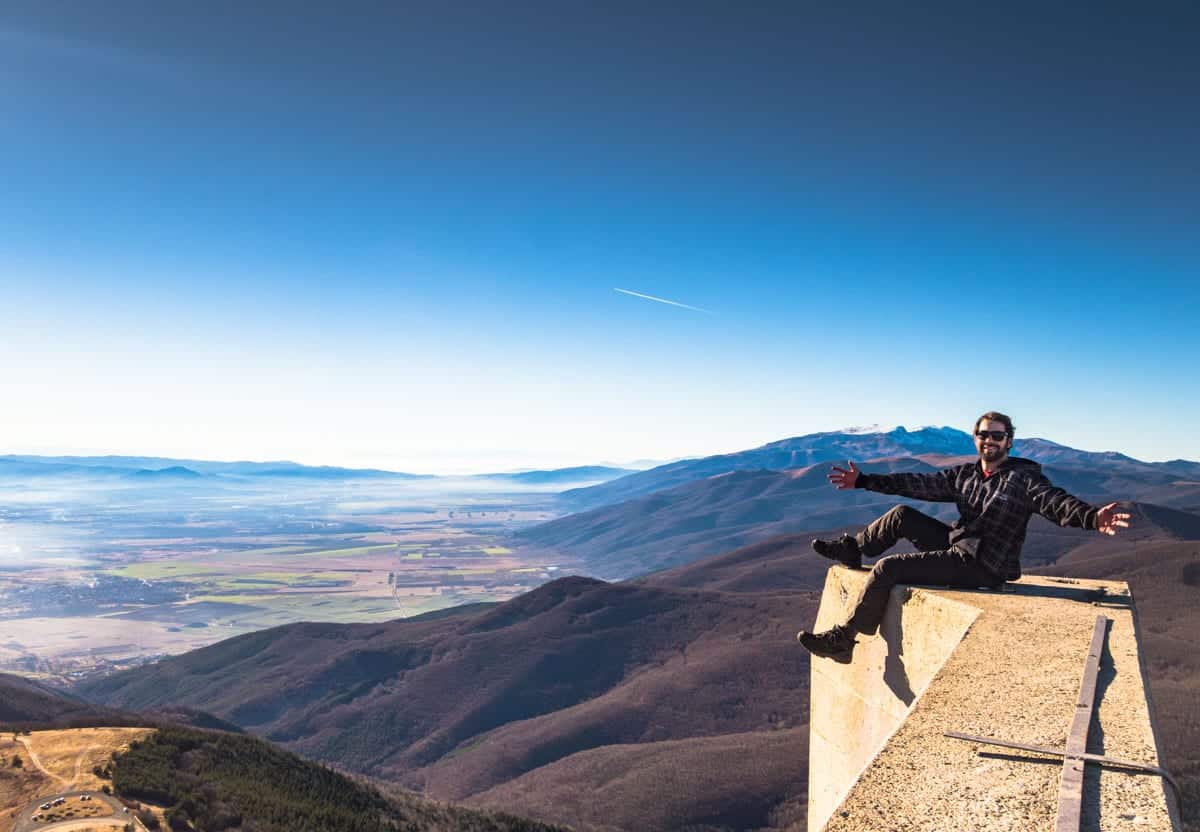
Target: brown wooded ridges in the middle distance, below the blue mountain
674,702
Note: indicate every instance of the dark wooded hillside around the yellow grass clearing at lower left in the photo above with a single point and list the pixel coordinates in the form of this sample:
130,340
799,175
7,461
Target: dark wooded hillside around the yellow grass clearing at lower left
217,780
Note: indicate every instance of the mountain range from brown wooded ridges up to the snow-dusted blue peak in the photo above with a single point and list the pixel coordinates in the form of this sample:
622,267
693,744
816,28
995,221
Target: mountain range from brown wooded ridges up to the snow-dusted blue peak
676,698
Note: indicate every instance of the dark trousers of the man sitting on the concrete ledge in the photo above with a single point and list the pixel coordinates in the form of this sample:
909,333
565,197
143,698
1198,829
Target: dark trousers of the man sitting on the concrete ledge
934,562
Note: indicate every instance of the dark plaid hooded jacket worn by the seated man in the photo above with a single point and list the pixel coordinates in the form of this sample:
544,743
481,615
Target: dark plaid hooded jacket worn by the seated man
994,512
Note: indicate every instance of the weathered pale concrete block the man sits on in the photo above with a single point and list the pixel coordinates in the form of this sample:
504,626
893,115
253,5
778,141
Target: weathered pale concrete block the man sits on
1000,665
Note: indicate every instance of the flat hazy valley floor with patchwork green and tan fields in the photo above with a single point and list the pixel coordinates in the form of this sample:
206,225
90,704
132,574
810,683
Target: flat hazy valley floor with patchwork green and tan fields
101,582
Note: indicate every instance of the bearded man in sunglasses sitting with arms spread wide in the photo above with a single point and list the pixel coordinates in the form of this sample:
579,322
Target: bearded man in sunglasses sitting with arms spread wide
995,496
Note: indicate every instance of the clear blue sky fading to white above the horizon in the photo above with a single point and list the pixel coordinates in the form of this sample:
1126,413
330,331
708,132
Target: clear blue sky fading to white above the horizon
391,235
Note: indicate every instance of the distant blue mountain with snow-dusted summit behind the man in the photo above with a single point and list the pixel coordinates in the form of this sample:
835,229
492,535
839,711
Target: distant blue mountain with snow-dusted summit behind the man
687,511
